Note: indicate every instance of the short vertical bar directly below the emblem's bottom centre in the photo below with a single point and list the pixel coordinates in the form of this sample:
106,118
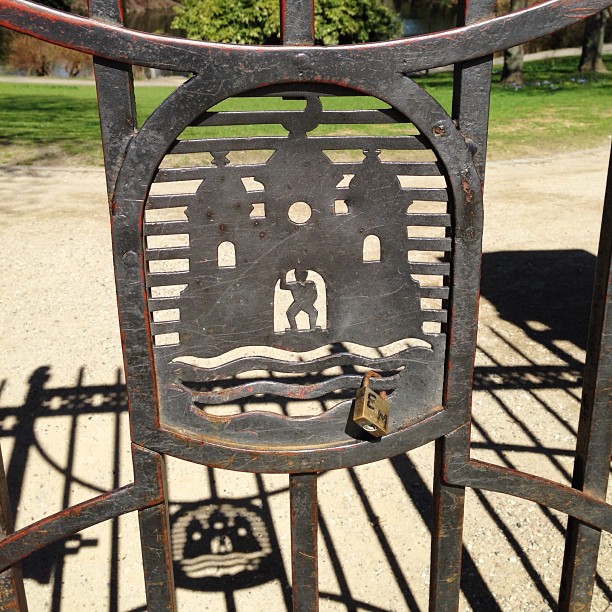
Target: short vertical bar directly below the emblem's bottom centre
304,554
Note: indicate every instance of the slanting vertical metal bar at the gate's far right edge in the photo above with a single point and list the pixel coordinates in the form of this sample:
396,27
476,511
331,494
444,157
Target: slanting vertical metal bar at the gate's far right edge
594,430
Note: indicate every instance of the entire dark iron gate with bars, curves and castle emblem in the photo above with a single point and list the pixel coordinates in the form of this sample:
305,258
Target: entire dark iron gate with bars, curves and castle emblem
291,276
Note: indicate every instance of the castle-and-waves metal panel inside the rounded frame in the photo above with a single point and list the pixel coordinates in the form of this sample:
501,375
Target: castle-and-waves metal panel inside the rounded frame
282,266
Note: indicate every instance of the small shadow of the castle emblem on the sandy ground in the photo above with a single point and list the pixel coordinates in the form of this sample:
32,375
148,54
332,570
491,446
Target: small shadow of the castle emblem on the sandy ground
220,545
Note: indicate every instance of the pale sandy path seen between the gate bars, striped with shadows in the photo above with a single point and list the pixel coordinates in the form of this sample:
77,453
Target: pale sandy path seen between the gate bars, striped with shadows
58,313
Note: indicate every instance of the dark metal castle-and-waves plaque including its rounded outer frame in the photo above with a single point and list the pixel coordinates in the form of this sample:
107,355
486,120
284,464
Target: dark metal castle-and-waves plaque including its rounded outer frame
222,310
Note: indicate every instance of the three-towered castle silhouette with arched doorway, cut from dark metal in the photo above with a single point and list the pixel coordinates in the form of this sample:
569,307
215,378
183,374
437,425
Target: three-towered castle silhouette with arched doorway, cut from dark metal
302,235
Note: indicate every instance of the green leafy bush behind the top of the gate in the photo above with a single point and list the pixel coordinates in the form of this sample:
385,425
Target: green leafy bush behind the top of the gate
258,21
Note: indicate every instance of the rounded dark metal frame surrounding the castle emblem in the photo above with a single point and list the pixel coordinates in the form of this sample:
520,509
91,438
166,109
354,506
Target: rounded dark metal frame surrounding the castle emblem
142,159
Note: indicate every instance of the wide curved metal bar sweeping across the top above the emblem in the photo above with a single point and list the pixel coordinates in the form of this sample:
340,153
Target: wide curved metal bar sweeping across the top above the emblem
405,55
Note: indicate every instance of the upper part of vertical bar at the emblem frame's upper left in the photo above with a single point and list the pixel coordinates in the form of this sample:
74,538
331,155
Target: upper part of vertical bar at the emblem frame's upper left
115,88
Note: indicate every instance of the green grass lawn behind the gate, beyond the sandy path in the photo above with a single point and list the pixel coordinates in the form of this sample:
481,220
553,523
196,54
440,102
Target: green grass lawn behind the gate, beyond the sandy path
557,110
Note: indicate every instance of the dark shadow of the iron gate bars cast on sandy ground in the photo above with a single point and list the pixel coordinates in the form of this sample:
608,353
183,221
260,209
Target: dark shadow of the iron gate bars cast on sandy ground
544,293
